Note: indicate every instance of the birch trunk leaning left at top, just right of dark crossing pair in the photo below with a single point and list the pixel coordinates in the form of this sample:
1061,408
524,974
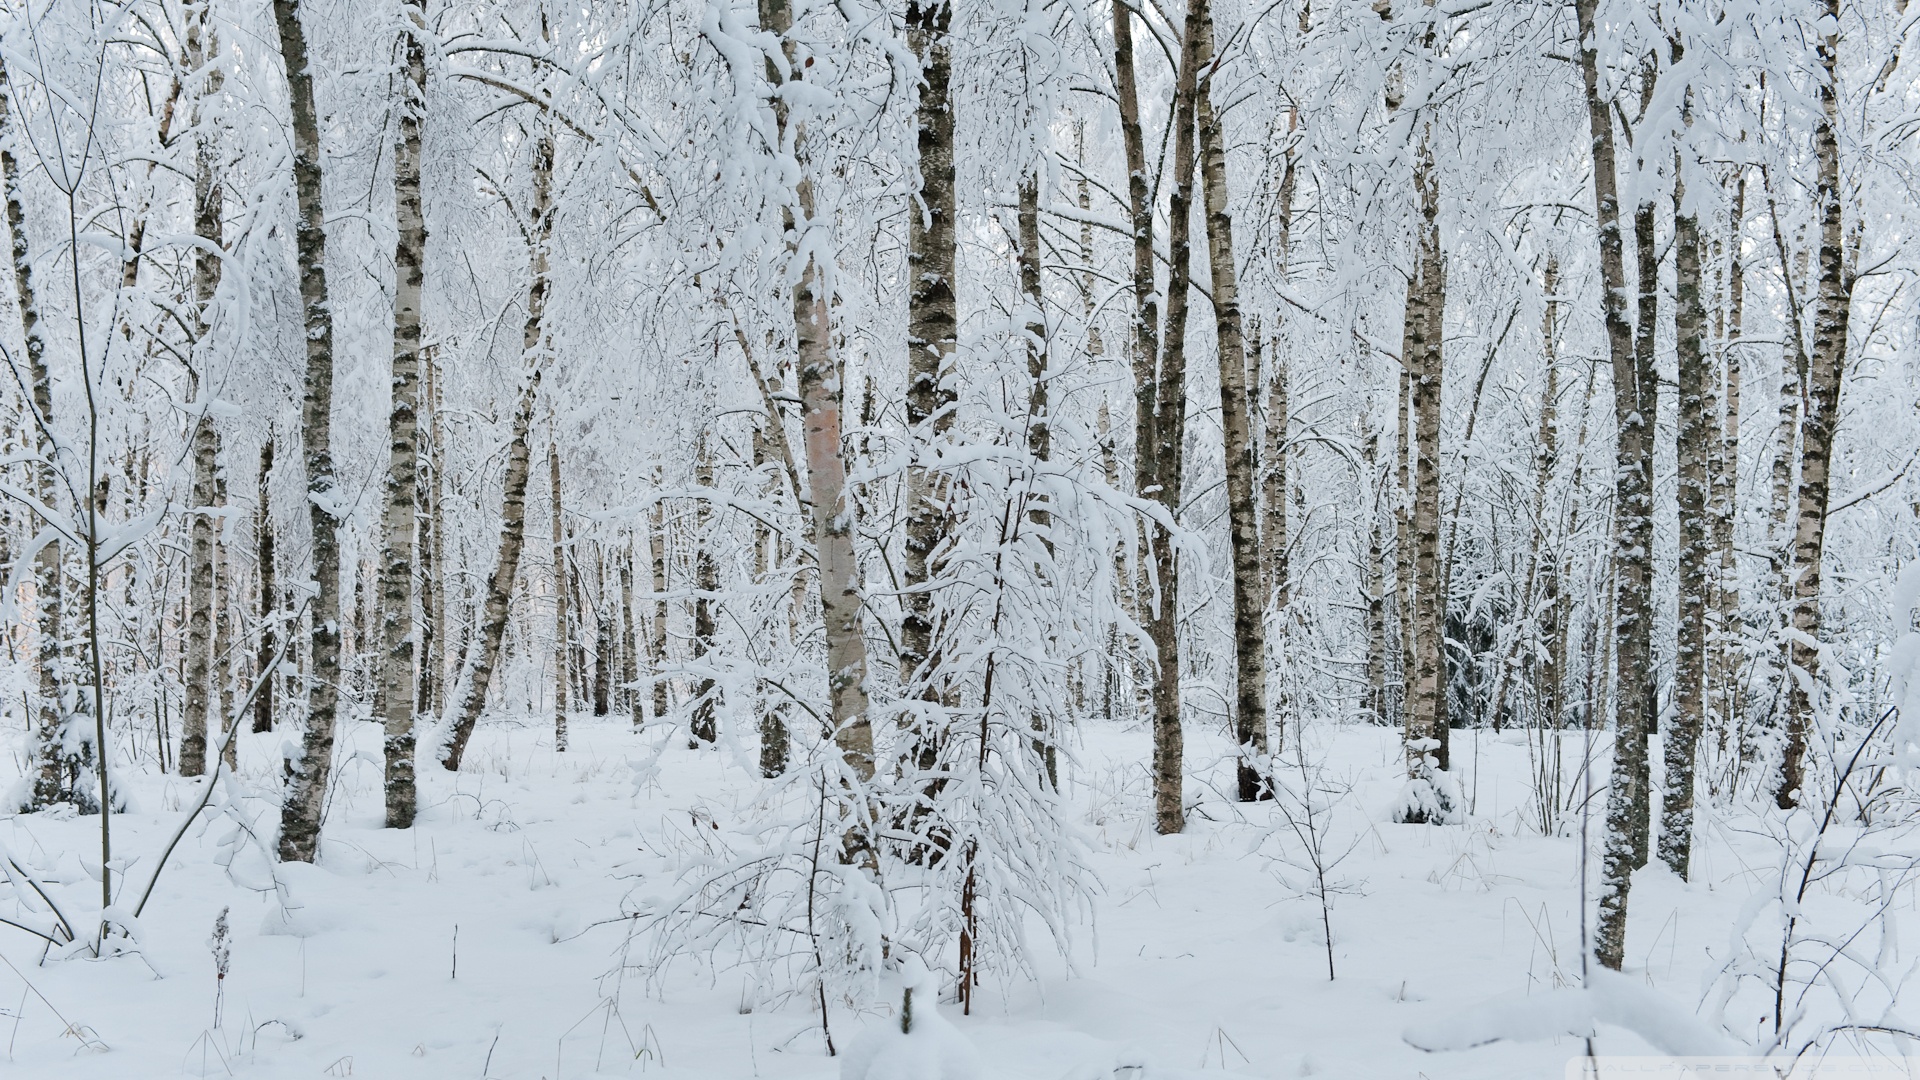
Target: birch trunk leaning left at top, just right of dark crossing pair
1243,518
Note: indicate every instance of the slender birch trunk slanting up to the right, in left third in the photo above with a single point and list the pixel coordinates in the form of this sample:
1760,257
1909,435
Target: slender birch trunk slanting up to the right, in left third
537,353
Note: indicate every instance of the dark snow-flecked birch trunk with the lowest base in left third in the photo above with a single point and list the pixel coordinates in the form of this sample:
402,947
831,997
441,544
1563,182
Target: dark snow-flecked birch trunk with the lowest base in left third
306,793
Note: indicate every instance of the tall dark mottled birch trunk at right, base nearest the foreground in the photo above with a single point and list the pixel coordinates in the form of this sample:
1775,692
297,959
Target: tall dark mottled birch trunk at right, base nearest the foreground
1633,514
